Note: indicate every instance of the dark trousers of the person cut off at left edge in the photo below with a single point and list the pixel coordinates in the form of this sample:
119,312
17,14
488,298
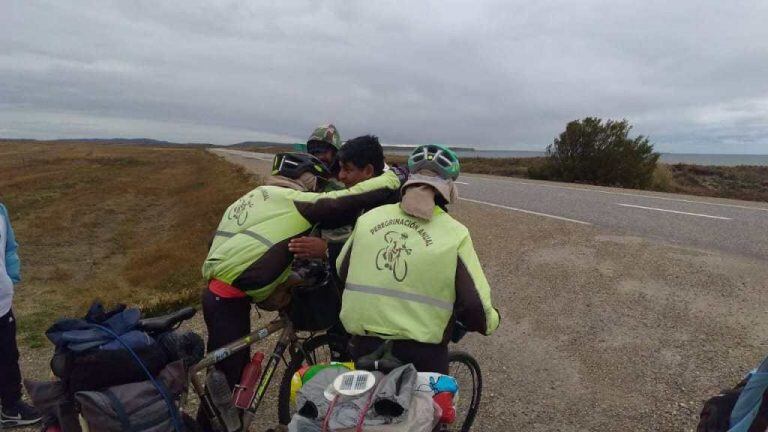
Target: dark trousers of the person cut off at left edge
10,374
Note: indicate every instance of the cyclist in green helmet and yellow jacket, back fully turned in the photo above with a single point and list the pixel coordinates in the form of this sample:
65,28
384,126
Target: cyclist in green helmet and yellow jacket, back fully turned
410,270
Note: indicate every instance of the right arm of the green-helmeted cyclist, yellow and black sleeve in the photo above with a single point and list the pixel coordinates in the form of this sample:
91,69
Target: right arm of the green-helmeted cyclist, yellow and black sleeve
473,306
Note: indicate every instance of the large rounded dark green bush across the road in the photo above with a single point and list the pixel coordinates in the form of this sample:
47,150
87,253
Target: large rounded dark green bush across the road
593,151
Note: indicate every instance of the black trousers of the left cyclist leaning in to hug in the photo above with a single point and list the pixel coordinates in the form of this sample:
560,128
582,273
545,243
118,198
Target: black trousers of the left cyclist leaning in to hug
227,320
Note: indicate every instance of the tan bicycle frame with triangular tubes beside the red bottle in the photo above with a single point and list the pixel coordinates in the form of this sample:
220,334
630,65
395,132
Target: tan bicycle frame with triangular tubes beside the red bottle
287,338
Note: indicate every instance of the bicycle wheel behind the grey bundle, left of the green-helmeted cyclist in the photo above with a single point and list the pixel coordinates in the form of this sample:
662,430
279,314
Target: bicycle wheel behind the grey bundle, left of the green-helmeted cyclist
318,349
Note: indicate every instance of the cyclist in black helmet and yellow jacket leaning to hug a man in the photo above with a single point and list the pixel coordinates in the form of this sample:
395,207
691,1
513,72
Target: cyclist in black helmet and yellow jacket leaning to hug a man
249,260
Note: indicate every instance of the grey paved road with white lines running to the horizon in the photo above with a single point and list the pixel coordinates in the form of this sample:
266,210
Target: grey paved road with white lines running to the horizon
727,225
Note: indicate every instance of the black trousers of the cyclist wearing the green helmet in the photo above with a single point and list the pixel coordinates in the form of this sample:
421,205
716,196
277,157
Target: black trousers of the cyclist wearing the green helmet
425,357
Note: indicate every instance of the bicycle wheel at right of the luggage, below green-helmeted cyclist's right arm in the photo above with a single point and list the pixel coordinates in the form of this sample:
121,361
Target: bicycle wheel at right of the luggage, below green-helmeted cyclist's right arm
466,370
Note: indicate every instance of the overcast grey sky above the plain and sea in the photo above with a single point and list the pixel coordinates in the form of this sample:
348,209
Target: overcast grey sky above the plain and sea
691,74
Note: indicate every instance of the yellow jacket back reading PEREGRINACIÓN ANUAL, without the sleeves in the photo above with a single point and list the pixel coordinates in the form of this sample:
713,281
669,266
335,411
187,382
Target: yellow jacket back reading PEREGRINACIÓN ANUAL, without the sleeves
401,280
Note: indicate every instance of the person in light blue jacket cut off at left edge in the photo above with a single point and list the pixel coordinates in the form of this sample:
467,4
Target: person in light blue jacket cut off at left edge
14,412
